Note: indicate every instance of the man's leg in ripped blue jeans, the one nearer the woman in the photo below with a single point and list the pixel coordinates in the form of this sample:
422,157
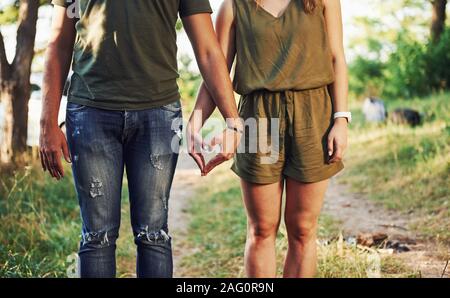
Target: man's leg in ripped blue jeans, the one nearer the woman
150,162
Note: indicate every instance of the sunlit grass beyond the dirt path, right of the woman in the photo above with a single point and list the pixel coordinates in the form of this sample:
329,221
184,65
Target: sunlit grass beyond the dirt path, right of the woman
406,169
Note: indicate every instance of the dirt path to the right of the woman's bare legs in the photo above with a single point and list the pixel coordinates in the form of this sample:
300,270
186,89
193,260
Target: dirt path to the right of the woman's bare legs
358,215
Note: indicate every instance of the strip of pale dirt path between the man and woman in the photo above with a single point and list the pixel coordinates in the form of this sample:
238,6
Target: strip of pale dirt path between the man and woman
187,176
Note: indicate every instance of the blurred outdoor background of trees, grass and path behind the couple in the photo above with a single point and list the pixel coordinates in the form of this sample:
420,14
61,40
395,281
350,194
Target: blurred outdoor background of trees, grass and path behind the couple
386,215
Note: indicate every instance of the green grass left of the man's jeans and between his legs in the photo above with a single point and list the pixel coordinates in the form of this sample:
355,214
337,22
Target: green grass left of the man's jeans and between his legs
41,227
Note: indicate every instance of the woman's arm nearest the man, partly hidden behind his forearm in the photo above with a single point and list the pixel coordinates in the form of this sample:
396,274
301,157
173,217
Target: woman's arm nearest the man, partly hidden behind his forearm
205,104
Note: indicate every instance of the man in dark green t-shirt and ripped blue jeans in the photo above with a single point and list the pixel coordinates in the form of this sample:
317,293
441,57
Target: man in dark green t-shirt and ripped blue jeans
123,113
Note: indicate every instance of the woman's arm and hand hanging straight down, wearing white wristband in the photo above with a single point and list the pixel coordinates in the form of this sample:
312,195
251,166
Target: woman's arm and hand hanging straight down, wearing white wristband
337,140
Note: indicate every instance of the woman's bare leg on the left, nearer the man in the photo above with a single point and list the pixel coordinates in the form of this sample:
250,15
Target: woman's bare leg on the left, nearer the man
263,205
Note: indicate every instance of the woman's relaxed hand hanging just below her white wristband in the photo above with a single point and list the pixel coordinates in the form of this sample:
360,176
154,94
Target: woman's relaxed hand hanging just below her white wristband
337,140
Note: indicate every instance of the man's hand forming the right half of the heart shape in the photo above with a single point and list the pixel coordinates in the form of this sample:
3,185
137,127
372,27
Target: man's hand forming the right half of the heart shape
228,141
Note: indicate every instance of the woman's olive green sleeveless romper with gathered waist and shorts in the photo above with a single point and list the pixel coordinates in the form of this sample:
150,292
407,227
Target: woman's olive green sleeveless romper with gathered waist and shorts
283,70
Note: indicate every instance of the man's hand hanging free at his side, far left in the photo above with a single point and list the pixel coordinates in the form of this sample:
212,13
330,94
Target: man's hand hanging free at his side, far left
53,145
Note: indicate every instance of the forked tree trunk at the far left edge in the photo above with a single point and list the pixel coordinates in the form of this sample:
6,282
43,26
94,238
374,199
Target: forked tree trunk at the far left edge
15,87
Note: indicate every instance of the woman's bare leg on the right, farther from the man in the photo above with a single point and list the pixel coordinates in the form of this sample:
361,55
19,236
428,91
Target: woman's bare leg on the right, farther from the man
303,204
